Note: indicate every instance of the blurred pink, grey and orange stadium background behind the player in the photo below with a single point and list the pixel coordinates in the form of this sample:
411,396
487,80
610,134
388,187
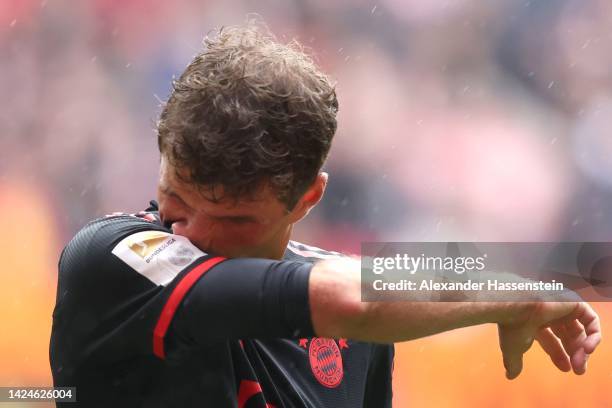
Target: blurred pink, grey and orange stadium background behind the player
459,120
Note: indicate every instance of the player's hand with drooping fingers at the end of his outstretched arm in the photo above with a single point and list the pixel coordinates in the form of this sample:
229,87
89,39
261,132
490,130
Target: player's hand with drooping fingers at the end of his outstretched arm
567,331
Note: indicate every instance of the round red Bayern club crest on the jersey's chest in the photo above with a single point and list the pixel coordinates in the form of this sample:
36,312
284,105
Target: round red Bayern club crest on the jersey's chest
326,361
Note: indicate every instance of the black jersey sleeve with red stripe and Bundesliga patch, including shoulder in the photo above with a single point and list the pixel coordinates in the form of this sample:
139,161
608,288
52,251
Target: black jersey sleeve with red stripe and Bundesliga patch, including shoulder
130,288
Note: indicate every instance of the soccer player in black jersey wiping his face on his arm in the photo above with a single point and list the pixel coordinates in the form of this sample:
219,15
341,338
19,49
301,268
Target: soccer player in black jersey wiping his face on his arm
202,300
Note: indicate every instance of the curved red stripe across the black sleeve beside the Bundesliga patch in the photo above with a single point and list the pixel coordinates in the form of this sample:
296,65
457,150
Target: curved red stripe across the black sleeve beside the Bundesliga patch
177,295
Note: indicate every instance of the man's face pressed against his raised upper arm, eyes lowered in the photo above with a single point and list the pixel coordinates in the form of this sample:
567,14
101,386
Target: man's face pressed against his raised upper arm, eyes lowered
259,227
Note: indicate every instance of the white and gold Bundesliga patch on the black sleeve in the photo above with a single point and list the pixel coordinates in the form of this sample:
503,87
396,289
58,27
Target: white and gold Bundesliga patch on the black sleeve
157,255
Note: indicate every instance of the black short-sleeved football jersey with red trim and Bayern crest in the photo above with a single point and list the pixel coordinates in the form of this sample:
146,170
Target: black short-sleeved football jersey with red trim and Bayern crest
143,318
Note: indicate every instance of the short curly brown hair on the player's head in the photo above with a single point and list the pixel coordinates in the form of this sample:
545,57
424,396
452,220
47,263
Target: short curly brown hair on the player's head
247,112
